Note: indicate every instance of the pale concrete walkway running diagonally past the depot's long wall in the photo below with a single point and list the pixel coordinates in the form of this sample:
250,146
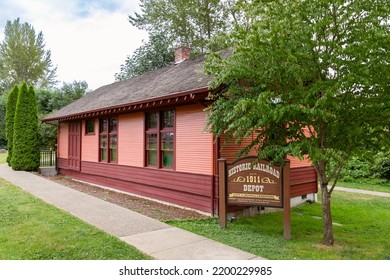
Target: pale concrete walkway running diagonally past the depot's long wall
152,237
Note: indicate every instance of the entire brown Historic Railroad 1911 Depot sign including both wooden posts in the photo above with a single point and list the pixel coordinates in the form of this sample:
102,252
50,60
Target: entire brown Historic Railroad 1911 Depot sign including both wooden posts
250,182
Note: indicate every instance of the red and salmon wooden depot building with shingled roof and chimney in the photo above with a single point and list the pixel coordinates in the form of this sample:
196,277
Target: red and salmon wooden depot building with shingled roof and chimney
146,136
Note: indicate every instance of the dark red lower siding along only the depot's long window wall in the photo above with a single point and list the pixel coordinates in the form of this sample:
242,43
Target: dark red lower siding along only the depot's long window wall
185,189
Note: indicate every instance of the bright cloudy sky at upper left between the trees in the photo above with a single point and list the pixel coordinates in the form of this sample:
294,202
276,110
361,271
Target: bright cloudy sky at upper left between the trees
88,39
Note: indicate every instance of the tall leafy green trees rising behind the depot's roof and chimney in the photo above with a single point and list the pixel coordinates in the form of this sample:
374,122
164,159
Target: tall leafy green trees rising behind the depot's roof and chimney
198,24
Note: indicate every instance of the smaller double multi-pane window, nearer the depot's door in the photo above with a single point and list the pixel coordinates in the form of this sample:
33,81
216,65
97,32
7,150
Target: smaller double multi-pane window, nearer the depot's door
108,139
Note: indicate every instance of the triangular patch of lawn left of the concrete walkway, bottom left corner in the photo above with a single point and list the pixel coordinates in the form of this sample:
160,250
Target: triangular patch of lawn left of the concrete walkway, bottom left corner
31,229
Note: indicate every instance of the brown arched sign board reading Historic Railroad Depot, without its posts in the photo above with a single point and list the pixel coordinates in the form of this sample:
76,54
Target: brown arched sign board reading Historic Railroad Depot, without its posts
255,183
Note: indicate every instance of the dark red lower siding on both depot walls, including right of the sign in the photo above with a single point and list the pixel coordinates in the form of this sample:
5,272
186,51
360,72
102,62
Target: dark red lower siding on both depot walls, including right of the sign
185,189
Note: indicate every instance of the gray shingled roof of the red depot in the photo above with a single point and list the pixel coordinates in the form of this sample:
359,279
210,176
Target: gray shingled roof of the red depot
172,79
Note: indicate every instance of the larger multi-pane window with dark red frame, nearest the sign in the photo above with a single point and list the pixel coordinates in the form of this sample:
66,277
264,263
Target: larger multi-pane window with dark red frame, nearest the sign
160,129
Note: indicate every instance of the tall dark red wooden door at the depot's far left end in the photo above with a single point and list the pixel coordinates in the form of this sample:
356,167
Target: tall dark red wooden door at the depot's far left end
74,145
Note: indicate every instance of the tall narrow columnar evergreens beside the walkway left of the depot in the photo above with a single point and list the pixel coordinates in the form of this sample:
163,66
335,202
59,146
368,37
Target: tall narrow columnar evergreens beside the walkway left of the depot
26,149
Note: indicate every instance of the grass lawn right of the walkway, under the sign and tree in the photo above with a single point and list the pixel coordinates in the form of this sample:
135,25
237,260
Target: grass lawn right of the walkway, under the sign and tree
362,231
